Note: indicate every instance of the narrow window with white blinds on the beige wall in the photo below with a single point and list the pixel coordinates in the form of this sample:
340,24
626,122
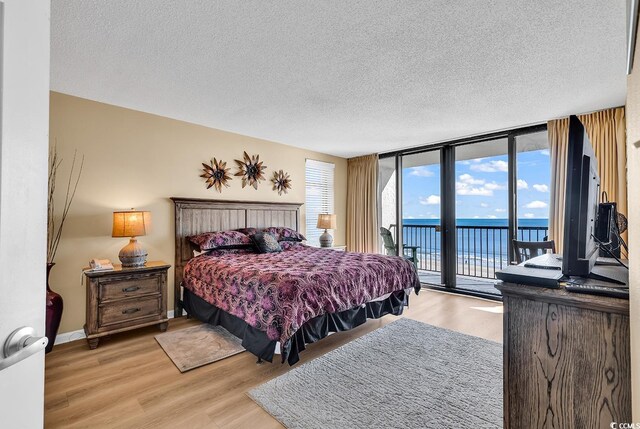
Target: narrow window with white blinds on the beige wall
319,196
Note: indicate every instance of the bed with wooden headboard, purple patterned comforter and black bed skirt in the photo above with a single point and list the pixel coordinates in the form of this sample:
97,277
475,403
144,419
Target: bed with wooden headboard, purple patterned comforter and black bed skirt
279,300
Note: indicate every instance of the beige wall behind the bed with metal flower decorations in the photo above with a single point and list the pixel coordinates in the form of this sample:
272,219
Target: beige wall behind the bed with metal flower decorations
134,159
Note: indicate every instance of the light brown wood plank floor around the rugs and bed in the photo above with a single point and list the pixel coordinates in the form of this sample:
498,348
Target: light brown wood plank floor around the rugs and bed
129,382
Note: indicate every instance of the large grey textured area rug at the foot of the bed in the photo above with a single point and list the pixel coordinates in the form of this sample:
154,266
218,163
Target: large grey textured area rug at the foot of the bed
406,374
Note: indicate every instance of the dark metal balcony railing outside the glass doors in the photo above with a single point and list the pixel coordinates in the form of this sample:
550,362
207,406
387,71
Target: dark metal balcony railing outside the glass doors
481,250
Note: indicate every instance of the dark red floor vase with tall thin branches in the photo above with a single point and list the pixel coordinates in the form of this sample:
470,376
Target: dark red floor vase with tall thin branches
54,234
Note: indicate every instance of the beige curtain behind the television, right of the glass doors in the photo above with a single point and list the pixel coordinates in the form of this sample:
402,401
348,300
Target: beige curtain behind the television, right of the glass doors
607,132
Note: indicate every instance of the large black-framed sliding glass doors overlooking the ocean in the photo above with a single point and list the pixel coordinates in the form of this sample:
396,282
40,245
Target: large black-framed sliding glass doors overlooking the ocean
460,204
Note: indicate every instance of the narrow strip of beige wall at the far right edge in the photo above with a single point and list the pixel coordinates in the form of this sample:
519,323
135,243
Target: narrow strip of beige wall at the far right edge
633,179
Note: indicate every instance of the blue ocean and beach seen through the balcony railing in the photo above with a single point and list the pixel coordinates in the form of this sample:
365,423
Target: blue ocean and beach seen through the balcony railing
481,243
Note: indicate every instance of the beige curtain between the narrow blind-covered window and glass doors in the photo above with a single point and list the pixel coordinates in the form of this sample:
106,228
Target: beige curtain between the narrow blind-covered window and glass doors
362,204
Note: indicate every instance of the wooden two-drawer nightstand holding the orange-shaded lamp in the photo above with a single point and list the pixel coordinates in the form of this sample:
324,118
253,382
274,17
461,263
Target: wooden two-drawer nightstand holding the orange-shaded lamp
123,299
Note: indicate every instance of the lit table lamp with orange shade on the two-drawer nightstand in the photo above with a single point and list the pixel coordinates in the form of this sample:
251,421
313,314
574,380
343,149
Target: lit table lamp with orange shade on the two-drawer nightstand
131,224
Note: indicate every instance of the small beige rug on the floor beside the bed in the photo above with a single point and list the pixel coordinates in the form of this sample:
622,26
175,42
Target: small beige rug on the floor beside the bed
199,345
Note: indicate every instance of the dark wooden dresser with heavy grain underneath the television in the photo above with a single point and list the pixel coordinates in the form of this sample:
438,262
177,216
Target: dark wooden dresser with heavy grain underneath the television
566,359
